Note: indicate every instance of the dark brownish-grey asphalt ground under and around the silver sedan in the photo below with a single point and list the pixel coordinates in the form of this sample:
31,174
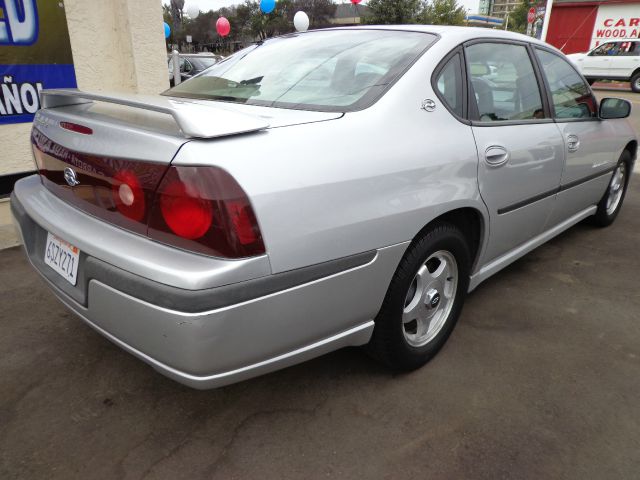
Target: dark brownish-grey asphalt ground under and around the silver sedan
540,379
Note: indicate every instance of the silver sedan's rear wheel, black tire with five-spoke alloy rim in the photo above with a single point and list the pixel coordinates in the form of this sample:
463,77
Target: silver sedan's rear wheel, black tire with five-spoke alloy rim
417,288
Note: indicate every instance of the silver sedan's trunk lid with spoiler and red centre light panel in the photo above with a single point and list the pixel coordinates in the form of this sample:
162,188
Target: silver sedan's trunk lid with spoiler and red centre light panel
108,153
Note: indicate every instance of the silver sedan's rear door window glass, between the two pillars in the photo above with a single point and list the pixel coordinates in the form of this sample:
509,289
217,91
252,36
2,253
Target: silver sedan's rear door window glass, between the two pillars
503,82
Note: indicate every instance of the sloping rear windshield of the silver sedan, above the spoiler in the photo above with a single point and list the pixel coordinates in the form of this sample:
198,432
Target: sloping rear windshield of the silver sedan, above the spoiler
325,70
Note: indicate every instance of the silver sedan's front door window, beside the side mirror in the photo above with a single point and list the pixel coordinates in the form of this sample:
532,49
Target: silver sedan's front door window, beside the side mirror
571,96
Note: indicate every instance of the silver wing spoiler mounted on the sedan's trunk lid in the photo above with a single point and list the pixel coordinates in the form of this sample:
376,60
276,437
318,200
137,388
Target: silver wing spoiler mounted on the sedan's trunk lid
194,120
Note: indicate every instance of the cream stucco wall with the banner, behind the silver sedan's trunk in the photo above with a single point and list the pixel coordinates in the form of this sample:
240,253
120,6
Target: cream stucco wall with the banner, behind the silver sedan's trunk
116,45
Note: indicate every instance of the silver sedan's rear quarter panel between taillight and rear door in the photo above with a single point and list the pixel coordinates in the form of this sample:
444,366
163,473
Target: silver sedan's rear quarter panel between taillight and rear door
370,179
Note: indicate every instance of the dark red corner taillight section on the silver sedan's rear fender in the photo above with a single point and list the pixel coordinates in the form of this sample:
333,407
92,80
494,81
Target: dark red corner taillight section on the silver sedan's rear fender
205,210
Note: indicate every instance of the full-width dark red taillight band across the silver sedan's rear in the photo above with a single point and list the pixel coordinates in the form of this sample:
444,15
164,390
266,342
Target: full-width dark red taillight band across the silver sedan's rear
201,209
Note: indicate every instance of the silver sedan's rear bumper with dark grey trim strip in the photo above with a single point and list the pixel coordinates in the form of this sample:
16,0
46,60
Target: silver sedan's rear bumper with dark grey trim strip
236,331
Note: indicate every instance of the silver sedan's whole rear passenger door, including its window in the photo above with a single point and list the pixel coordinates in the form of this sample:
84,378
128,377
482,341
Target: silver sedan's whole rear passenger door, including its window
519,147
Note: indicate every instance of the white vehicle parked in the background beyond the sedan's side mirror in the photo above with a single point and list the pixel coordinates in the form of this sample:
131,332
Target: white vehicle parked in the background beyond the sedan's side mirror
618,60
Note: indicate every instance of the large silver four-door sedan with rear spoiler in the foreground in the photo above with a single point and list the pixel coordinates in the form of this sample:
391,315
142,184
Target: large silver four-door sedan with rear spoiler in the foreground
259,215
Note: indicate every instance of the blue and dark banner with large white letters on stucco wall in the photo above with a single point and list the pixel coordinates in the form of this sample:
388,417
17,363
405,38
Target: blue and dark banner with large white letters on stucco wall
35,53
